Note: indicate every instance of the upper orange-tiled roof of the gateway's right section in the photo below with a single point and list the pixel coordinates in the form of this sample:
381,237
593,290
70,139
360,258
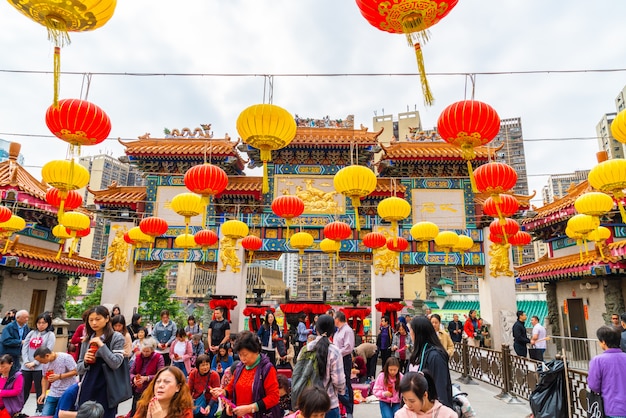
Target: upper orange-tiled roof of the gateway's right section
432,150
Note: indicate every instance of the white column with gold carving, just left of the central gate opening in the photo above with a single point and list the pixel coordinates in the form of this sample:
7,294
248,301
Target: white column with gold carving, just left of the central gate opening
232,272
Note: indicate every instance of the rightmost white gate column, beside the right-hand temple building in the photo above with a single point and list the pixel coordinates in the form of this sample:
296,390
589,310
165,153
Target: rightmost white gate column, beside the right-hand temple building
498,302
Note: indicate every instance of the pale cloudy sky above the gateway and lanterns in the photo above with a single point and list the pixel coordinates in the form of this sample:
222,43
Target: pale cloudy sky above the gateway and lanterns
314,38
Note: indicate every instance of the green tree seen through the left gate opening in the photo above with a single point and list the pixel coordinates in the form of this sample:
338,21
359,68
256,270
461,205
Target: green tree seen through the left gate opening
154,295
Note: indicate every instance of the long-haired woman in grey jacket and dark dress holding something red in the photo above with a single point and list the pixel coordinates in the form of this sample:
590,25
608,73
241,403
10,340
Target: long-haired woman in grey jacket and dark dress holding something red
103,348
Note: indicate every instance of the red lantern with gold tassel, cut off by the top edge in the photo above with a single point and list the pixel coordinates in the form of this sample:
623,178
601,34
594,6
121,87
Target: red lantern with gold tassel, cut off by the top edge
411,18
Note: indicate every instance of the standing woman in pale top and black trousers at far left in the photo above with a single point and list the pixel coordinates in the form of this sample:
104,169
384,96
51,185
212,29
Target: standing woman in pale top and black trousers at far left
31,367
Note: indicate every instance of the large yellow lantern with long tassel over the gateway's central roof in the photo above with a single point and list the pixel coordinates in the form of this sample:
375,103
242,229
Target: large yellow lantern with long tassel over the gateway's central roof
266,127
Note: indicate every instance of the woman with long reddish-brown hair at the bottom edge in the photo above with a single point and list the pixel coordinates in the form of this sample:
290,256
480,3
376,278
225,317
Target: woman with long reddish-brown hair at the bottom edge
167,395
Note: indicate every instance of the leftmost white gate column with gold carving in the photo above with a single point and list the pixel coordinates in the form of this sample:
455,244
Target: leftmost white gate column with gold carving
121,286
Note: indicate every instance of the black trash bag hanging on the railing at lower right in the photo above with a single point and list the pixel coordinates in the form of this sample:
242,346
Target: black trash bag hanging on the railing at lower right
549,399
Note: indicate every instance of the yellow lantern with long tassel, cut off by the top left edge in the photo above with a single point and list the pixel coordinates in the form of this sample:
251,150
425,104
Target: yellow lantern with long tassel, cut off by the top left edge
61,17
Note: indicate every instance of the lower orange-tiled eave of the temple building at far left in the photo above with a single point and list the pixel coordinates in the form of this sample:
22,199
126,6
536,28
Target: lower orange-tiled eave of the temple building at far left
41,259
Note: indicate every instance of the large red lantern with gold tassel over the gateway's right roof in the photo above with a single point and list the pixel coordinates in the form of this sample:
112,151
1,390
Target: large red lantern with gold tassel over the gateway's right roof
468,124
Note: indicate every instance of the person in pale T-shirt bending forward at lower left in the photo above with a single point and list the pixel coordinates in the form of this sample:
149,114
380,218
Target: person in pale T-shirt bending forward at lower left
59,370
